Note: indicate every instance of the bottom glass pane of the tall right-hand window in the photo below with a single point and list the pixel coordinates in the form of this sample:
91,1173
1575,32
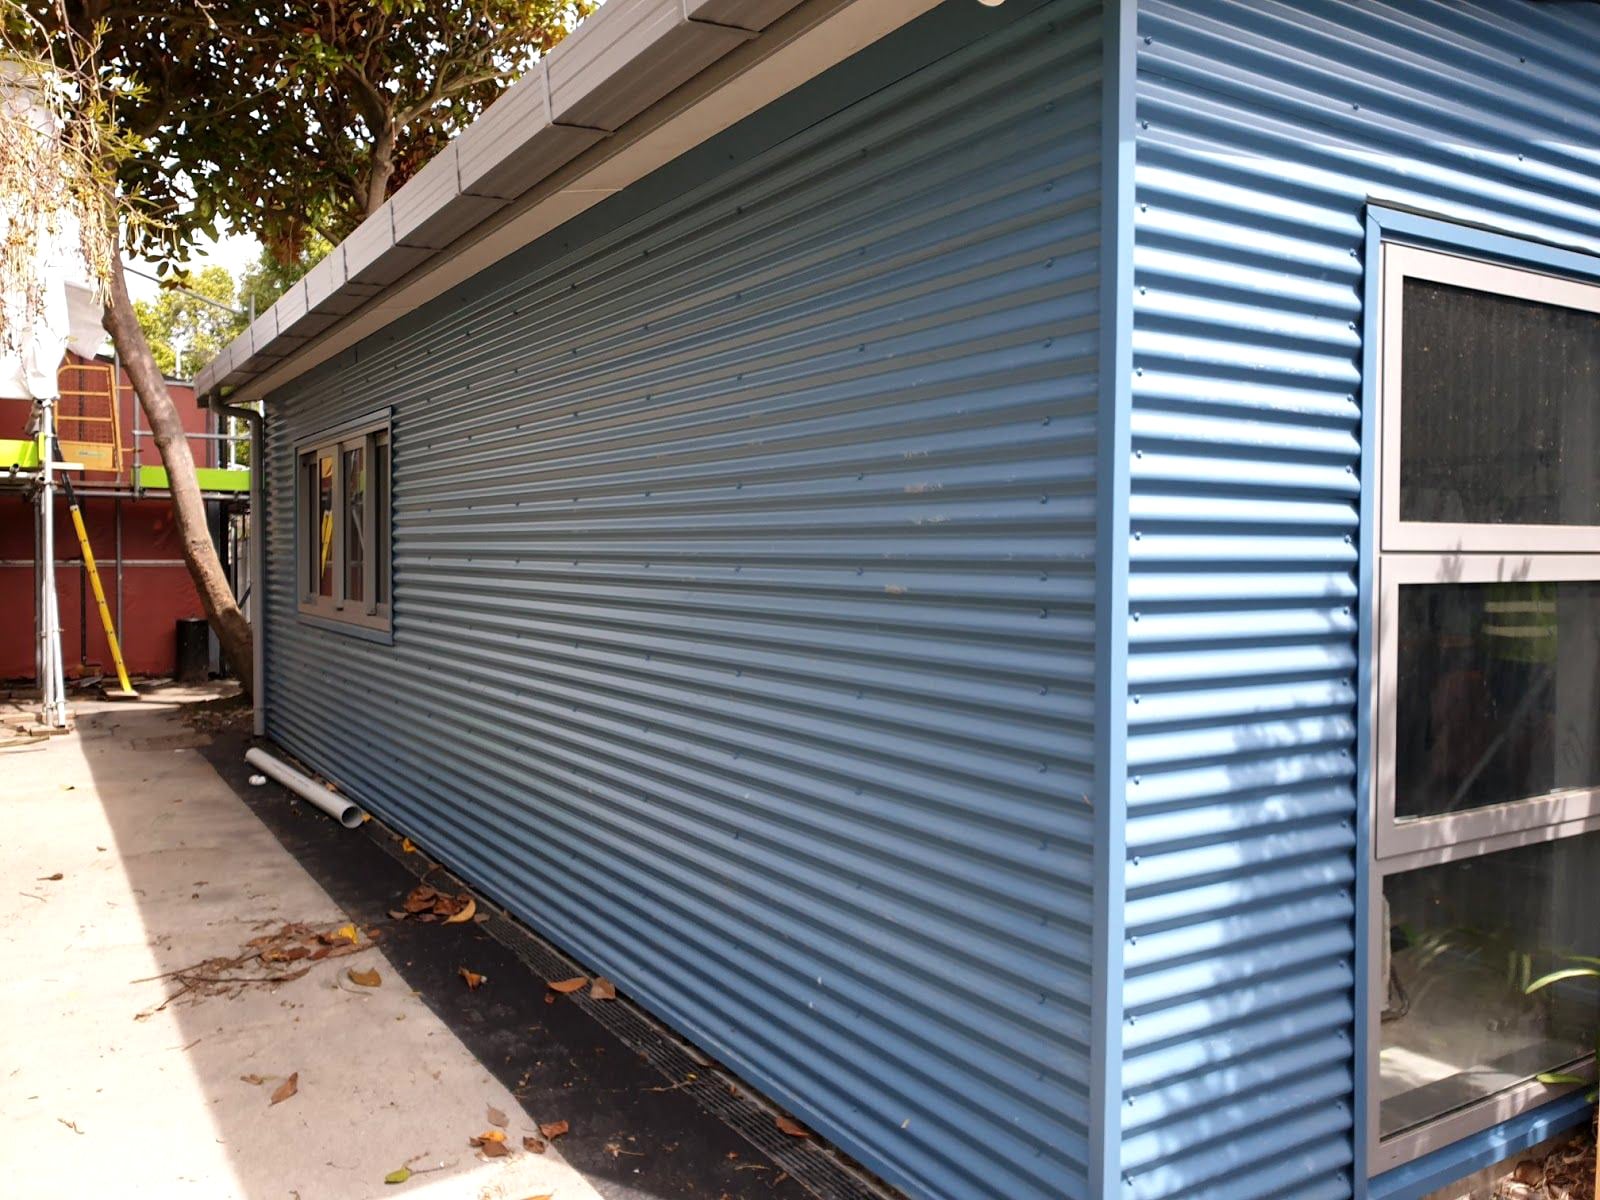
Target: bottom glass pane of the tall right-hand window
1465,942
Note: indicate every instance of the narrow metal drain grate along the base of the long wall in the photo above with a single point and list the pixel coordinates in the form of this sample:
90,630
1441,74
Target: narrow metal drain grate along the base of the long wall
814,1166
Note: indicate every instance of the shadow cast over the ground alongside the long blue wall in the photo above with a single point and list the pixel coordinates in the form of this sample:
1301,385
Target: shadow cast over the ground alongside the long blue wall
634,1135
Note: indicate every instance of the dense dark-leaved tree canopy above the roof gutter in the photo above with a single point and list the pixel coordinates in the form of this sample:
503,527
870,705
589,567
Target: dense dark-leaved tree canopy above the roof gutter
295,119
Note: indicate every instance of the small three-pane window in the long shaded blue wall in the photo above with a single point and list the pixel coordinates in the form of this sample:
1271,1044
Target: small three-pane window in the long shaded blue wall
345,527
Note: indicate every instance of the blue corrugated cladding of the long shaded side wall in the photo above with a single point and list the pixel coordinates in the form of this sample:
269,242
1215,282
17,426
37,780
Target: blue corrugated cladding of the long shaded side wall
745,604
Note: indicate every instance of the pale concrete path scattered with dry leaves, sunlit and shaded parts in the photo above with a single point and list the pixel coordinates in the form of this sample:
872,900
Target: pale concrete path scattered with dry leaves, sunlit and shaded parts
124,857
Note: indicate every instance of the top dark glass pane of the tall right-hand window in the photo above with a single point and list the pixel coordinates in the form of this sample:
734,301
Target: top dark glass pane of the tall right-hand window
1498,409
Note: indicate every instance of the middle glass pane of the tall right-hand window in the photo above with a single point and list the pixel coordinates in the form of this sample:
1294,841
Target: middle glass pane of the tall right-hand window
1497,694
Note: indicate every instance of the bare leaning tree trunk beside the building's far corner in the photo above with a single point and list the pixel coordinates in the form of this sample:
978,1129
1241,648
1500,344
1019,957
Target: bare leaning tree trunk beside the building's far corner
167,426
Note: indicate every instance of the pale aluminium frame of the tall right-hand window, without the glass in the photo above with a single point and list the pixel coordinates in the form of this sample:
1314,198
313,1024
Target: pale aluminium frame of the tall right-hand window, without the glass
1422,553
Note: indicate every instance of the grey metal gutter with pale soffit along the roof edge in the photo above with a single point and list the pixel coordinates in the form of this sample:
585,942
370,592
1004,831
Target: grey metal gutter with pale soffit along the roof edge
631,89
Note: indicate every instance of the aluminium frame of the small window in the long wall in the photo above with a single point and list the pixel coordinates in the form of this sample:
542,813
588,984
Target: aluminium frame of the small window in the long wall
367,617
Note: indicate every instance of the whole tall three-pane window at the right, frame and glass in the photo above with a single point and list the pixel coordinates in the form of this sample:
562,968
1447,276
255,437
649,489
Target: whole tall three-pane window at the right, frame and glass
1486,694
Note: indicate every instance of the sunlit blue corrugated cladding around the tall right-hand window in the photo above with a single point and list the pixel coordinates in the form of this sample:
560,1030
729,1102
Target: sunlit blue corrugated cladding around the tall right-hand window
1263,132
